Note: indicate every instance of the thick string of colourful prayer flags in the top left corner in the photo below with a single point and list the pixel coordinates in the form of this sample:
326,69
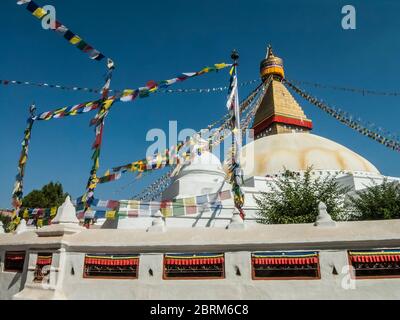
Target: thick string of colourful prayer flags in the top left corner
75,40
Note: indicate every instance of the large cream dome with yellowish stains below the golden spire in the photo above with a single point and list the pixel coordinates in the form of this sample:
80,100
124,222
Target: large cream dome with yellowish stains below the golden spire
271,155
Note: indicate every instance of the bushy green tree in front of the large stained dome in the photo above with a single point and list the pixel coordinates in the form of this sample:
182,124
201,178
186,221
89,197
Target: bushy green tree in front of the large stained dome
294,198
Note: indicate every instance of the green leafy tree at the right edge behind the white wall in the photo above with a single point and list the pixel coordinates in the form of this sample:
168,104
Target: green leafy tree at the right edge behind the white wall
376,202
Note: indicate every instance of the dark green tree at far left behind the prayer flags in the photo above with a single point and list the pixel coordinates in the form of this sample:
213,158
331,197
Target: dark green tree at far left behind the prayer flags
51,195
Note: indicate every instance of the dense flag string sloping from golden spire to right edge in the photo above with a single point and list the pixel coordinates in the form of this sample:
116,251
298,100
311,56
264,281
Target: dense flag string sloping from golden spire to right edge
348,120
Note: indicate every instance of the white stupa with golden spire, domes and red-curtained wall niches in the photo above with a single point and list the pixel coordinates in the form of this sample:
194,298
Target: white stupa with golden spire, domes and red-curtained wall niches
212,253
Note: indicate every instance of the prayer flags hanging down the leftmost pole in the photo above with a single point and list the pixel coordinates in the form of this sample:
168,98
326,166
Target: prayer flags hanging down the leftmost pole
19,179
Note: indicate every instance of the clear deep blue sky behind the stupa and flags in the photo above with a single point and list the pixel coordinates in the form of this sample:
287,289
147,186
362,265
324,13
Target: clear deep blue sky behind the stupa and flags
158,39
